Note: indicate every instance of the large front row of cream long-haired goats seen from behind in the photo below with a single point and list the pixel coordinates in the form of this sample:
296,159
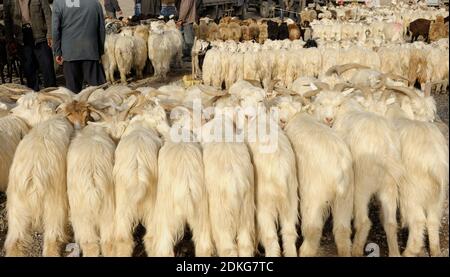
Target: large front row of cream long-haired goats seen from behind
106,159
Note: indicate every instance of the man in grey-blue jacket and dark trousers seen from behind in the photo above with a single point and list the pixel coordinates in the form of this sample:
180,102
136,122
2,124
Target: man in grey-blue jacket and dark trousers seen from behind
79,38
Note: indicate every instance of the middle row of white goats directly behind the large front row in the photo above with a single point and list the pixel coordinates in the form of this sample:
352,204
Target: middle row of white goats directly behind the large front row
414,63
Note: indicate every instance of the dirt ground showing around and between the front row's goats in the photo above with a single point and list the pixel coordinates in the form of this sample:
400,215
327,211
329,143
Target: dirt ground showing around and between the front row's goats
186,247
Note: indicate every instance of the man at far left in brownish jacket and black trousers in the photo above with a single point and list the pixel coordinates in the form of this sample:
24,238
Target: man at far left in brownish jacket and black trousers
28,22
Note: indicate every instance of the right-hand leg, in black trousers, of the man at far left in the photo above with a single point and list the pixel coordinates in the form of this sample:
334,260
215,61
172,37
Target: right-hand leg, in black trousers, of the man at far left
44,58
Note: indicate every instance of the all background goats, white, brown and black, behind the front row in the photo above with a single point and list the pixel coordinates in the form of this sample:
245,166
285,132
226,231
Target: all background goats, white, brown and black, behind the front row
281,49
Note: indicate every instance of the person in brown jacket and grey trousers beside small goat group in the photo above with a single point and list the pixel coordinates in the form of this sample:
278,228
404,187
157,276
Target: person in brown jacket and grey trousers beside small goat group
186,18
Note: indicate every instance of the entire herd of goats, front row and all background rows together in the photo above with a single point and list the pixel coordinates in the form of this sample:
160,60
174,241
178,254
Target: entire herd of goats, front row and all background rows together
349,125
